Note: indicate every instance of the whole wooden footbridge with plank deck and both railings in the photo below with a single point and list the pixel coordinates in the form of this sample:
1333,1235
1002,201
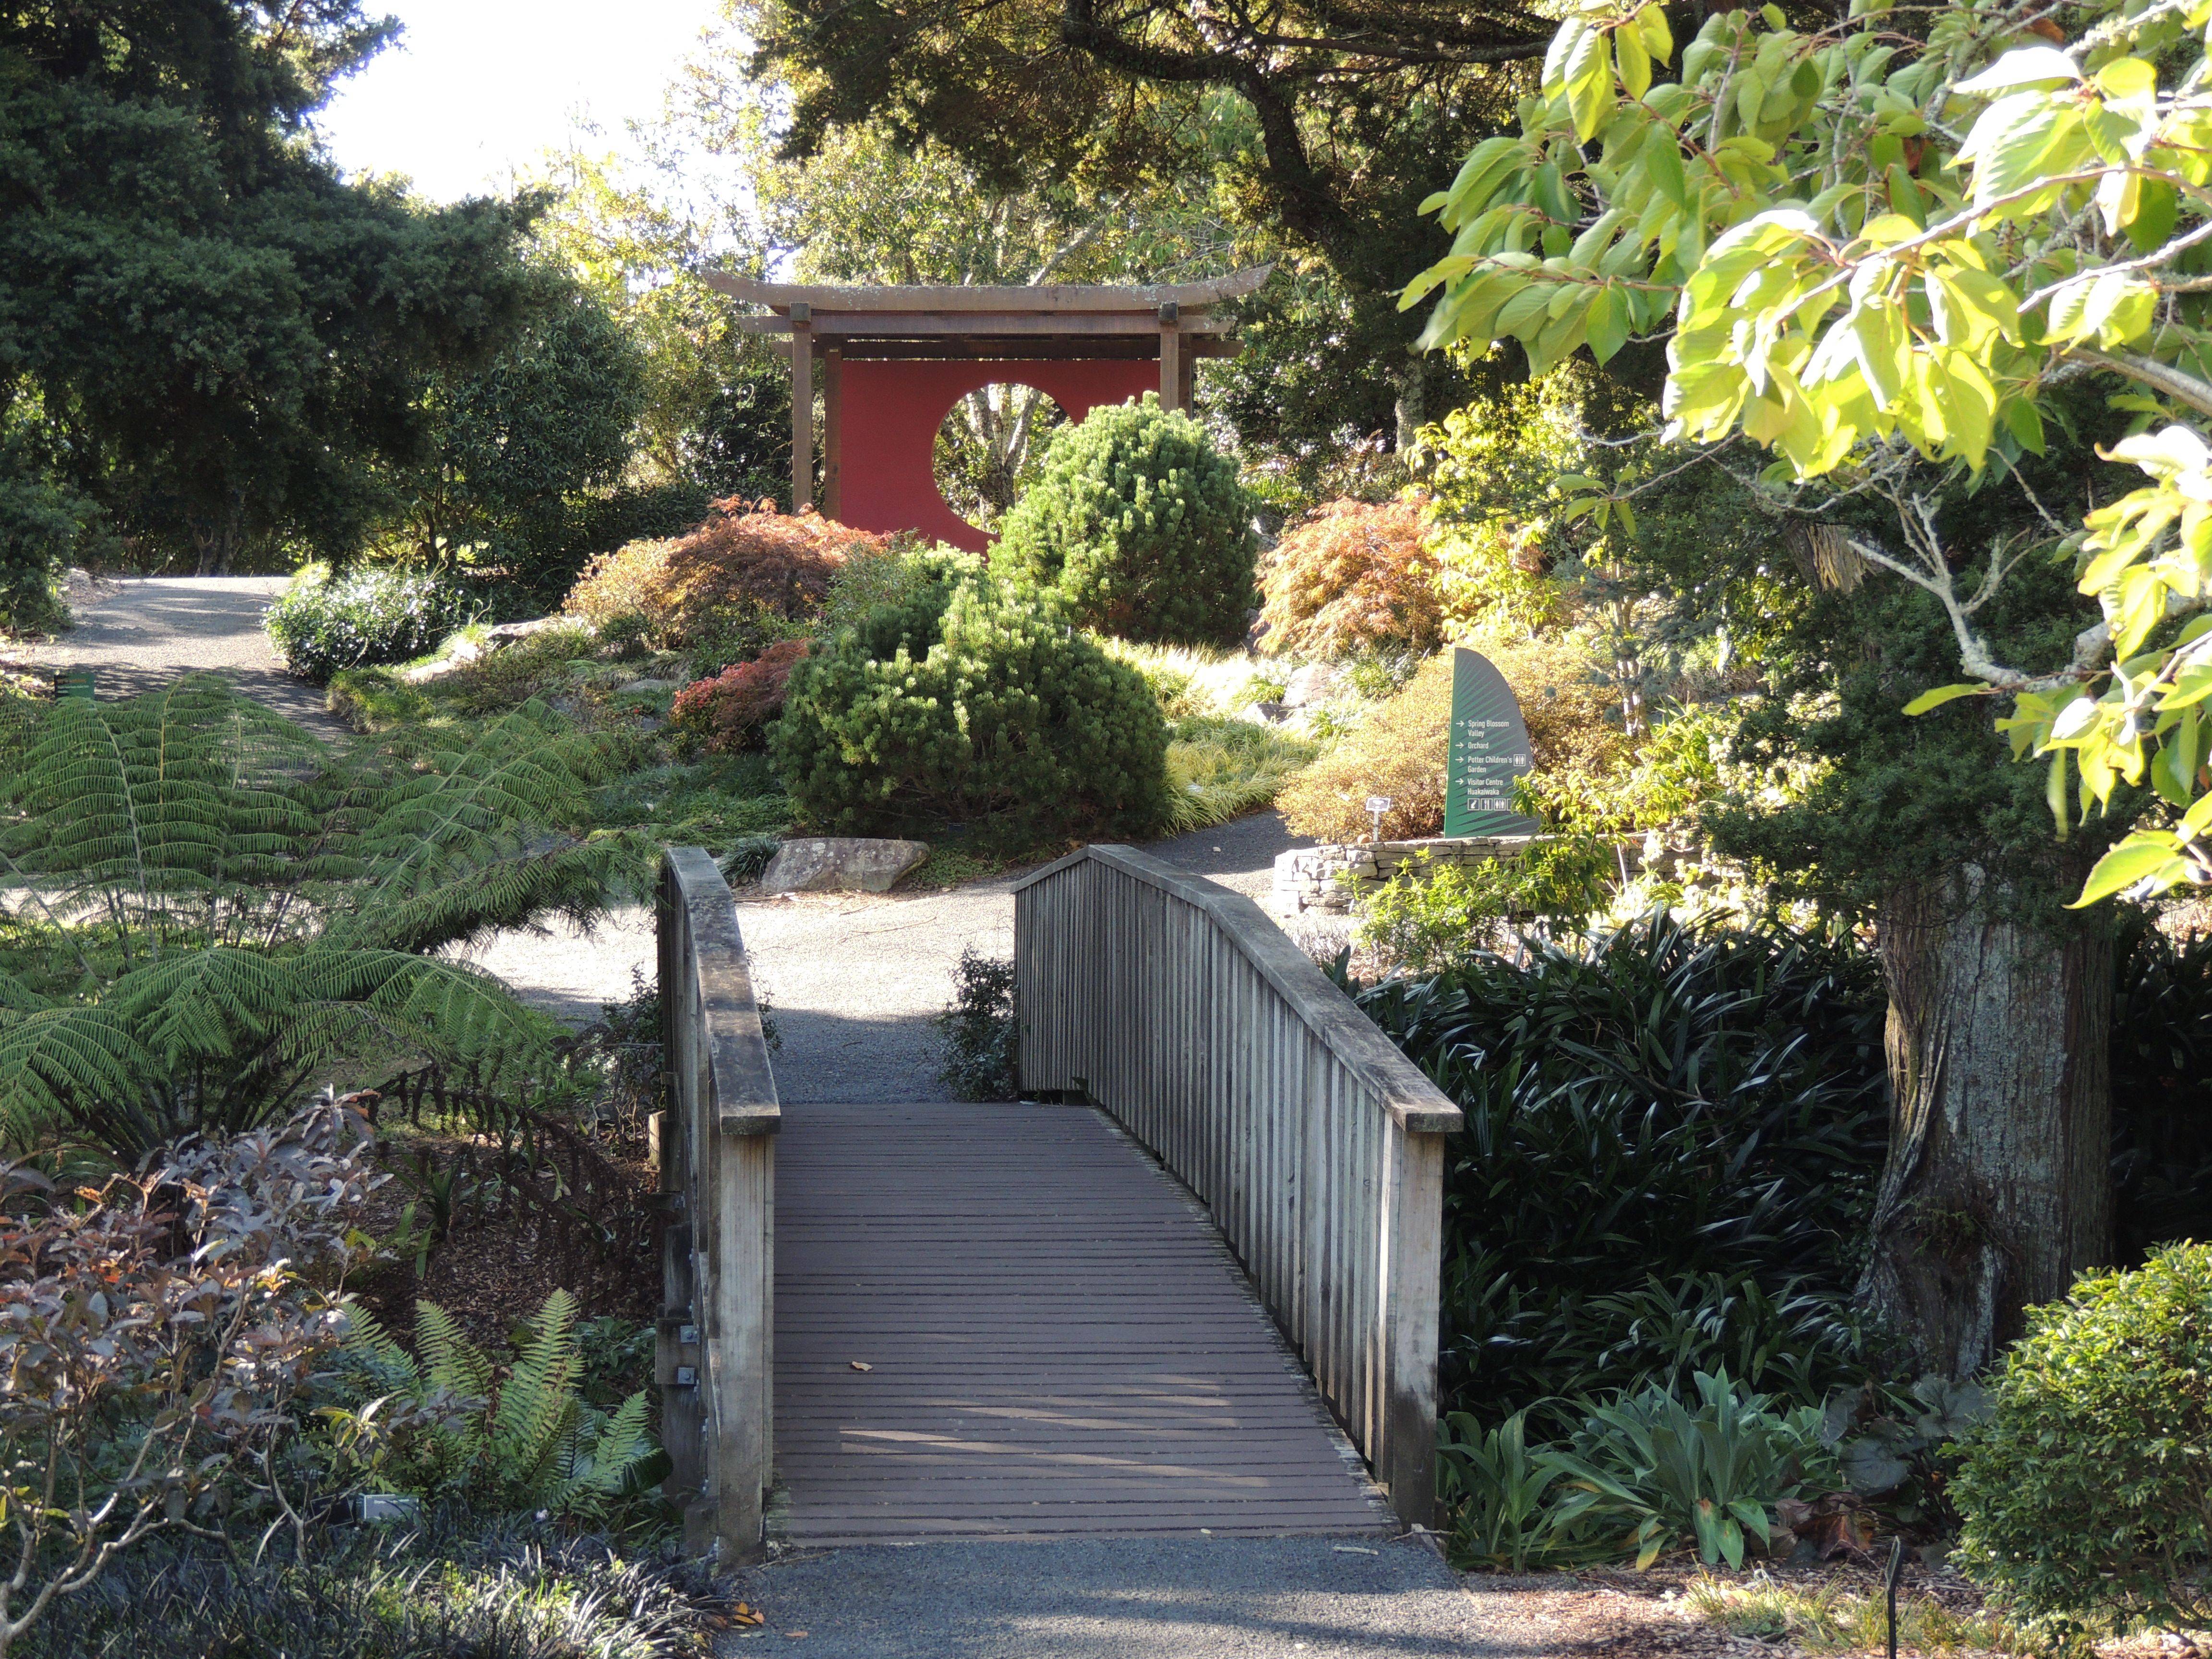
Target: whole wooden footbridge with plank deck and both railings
1196,1293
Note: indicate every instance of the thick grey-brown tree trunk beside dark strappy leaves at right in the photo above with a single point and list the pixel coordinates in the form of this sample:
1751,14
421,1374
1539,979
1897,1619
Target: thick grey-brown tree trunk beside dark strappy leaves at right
1999,1180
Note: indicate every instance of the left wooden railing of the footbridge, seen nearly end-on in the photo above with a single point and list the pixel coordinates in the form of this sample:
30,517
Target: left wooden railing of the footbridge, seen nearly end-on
718,1160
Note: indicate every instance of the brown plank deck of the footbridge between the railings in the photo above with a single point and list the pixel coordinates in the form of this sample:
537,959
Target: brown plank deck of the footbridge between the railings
1061,1342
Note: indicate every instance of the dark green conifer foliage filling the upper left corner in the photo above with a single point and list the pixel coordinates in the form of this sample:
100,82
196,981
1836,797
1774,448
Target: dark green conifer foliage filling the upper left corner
209,340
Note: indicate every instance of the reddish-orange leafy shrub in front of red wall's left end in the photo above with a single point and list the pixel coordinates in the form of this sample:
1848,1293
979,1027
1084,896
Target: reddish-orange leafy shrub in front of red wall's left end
744,576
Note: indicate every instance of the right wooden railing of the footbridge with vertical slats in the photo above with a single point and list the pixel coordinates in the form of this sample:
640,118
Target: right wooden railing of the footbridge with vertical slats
1189,1016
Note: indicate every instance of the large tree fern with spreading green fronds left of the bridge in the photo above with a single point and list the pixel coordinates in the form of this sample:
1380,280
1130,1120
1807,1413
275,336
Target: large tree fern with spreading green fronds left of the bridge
209,910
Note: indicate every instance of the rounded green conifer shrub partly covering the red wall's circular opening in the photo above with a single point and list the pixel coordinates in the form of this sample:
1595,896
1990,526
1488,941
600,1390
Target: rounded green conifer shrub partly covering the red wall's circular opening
1142,528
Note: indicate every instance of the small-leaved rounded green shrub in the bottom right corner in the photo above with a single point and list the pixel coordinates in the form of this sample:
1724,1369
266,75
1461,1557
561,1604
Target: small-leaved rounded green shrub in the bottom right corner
2087,1494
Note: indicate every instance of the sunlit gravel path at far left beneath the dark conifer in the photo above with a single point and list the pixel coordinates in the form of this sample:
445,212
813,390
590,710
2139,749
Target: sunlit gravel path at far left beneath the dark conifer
152,629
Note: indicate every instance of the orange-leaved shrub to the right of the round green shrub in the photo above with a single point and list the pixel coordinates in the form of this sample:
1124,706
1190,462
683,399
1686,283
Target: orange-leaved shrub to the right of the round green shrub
1350,578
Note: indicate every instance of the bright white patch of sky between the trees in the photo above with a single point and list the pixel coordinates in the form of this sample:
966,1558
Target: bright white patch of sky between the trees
479,90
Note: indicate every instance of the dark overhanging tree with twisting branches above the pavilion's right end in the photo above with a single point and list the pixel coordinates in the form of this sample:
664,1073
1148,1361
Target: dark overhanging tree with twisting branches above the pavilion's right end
1319,127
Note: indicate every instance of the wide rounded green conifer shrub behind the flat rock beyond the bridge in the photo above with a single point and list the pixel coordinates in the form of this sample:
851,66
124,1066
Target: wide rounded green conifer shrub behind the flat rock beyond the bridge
972,705
